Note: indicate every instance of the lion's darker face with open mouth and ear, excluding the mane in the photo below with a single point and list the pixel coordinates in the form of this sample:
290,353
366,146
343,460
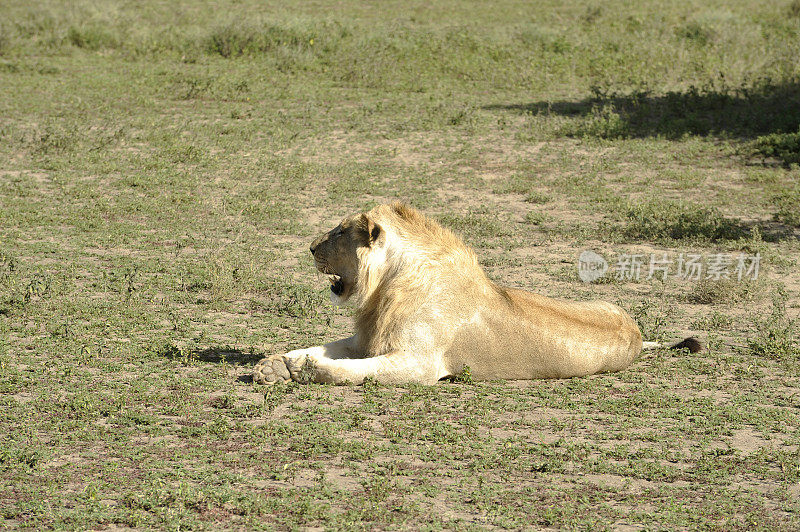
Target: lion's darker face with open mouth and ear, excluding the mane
343,254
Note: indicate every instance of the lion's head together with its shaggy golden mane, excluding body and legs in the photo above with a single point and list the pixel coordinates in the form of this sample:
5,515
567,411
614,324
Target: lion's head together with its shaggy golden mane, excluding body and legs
388,262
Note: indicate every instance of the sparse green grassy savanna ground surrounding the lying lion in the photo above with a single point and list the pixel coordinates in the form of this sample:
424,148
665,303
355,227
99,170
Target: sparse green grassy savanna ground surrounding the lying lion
164,165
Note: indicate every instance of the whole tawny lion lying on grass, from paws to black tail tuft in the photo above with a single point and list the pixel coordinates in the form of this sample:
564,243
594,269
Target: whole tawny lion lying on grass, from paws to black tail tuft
425,310
